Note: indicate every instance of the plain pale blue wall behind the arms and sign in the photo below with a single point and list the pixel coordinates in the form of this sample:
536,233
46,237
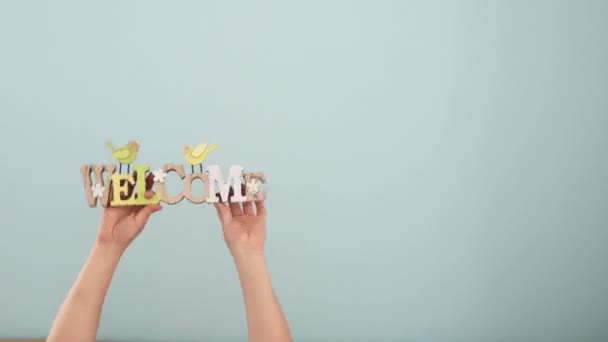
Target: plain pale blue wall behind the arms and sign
438,170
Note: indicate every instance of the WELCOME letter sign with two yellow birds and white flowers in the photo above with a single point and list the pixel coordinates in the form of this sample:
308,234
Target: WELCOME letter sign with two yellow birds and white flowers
113,186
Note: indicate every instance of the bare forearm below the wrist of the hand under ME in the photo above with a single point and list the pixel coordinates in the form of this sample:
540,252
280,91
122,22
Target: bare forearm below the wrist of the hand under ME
265,319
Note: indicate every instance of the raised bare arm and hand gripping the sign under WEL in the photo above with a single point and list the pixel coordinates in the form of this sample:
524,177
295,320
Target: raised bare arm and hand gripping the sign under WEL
78,316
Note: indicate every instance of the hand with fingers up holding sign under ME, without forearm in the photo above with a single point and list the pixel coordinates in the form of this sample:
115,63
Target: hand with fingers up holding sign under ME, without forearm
244,228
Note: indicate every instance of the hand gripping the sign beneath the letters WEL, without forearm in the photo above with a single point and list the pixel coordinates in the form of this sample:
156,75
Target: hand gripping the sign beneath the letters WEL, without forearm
121,225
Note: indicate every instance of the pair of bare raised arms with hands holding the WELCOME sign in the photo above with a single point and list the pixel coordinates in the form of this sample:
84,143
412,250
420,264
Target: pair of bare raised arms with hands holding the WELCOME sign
244,229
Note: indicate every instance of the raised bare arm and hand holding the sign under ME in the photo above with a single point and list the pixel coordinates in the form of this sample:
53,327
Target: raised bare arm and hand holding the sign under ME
245,233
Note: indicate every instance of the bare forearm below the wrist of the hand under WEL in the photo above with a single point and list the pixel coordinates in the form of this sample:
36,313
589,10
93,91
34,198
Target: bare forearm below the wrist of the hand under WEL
78,317
